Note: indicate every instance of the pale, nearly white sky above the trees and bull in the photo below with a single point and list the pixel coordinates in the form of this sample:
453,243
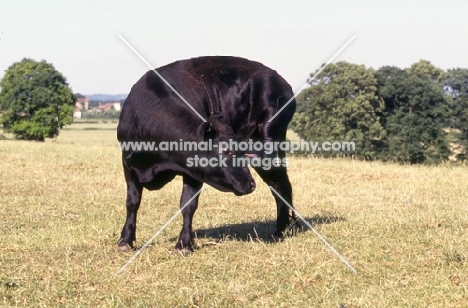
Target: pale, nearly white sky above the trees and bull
81,38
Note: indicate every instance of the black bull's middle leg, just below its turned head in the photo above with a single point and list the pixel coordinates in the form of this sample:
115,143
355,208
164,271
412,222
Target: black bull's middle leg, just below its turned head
186,240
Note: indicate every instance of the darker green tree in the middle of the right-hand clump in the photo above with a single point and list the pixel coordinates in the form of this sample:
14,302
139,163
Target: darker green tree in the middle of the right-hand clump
415,110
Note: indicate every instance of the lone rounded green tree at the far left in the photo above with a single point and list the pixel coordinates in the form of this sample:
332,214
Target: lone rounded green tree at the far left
36,99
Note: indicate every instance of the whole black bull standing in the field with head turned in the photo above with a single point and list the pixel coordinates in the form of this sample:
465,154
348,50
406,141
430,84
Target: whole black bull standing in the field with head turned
237,97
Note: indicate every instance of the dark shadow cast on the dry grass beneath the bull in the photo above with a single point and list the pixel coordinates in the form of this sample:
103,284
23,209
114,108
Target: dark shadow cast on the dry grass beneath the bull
259,230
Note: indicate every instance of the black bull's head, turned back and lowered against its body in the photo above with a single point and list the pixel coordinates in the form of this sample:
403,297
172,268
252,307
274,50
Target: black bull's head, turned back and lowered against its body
219,168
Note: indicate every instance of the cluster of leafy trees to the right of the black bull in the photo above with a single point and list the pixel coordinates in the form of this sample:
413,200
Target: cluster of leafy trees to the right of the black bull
413,115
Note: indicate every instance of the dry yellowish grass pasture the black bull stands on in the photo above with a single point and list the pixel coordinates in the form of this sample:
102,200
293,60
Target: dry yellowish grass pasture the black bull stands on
404,229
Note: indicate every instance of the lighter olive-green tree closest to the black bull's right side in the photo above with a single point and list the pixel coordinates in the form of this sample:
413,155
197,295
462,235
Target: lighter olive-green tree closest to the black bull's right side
341,104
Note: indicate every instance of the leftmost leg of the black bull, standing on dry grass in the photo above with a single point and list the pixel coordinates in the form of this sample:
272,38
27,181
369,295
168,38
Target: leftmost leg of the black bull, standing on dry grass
134,192
